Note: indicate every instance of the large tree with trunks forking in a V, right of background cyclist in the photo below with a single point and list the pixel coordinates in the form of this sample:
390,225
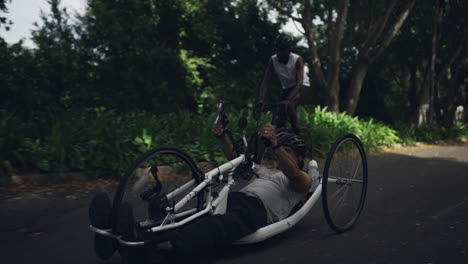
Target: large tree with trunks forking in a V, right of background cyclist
362,29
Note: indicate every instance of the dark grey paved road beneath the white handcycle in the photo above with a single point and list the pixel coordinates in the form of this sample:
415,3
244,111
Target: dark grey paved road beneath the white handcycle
416,212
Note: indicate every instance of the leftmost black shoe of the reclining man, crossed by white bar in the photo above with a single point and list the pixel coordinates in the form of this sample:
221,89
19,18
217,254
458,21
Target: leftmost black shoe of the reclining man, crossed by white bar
99,217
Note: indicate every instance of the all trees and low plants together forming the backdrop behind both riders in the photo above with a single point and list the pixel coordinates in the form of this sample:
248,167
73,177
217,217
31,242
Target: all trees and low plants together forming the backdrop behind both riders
98,88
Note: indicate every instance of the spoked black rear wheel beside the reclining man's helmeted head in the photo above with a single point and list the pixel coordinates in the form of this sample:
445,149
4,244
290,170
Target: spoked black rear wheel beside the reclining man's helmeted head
347,150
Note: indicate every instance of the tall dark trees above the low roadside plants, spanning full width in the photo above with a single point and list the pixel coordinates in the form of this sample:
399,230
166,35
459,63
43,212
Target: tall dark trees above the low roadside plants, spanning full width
365,57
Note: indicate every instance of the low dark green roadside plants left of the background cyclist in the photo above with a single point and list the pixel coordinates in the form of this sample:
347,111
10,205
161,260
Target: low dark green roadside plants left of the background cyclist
95,140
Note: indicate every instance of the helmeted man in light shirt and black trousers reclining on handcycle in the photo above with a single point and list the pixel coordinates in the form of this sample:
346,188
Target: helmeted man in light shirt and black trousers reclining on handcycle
268,198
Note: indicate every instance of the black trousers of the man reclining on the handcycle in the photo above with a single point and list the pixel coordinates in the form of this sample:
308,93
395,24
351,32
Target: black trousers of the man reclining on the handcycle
245,214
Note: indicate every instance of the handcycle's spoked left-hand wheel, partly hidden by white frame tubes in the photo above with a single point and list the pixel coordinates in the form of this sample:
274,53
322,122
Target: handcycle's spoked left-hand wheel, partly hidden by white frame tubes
154,175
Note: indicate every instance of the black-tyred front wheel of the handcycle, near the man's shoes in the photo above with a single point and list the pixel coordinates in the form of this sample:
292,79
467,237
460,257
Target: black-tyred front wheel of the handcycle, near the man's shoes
132,184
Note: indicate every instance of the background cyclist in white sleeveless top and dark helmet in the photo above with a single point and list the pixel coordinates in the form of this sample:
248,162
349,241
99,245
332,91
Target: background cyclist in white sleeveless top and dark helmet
289,67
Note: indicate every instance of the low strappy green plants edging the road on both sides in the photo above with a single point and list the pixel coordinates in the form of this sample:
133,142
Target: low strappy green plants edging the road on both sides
105,142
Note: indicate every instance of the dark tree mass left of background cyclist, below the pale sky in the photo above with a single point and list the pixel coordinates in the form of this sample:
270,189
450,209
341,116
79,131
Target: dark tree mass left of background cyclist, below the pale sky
160,56
